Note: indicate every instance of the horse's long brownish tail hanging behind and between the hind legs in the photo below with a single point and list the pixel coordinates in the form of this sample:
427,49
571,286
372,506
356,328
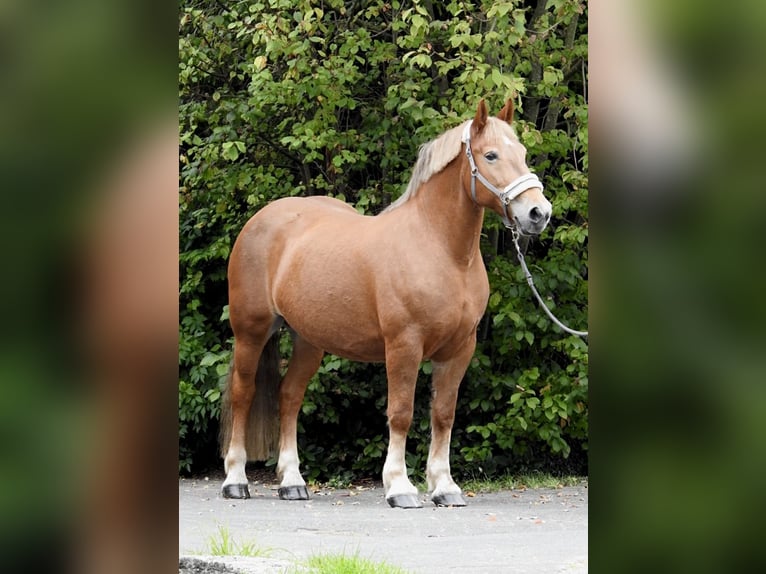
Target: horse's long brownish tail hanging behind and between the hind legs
262,431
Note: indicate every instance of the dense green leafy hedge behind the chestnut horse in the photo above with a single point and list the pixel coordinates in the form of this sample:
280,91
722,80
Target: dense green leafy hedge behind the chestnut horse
287,97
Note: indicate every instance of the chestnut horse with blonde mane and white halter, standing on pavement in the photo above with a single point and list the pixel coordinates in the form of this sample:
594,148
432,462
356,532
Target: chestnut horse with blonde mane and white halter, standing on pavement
400,287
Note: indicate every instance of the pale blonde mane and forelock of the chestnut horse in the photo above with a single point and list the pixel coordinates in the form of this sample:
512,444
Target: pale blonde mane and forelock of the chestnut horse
435,155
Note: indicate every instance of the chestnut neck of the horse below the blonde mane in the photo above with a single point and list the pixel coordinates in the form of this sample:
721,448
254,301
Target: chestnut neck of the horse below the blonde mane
449,215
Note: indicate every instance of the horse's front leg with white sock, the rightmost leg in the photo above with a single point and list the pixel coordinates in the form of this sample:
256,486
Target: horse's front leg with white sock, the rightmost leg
446,381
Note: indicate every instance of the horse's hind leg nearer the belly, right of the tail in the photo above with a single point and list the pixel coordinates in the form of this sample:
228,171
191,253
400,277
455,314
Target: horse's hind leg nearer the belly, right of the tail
304,363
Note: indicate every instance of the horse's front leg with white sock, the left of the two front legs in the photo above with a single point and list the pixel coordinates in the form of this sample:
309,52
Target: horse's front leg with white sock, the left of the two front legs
402,363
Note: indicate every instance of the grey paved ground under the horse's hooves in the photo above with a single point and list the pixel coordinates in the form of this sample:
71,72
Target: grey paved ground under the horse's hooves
520,531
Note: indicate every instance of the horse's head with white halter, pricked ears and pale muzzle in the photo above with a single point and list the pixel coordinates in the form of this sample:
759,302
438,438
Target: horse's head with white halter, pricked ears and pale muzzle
499,177
